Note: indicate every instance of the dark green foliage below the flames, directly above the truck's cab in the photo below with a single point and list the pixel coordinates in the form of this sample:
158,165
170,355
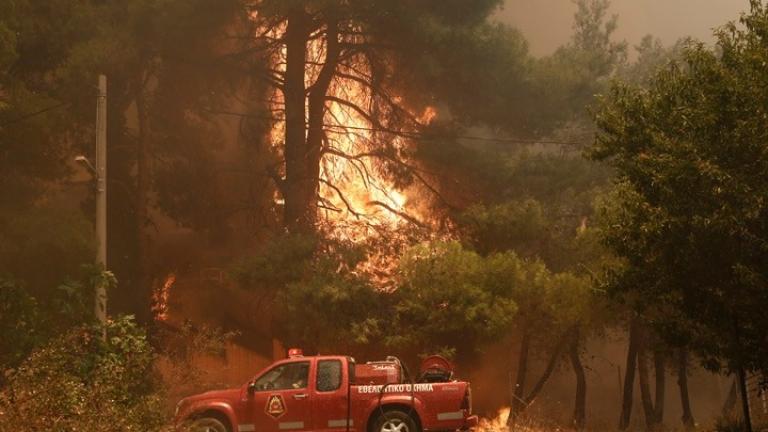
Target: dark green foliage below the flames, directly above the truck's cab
321,301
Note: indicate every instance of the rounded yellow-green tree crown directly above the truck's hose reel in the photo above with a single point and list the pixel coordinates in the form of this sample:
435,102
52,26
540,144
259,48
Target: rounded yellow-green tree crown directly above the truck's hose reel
451,300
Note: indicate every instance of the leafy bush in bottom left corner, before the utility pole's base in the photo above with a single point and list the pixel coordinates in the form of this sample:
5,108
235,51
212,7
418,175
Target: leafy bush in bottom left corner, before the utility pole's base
81,382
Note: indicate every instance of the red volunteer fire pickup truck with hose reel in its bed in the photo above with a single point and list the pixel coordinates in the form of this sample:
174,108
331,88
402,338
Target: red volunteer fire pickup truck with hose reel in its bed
335,394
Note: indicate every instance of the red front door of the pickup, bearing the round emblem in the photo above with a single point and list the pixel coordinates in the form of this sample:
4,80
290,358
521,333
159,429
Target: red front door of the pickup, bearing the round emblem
282,401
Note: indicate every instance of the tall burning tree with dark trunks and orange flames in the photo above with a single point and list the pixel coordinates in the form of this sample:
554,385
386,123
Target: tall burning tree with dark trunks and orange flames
348,94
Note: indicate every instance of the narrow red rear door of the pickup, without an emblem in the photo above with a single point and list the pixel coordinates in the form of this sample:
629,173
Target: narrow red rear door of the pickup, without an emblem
330,398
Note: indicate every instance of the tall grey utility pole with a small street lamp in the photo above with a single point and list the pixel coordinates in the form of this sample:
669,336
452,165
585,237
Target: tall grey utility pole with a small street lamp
101,196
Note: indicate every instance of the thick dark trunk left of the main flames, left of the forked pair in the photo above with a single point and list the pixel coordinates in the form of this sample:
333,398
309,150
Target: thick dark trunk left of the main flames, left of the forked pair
300,184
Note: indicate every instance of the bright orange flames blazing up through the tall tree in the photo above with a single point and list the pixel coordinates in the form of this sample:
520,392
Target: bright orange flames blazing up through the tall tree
356,197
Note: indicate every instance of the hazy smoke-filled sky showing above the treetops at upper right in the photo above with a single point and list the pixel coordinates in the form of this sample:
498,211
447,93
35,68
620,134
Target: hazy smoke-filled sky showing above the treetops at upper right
547,24
